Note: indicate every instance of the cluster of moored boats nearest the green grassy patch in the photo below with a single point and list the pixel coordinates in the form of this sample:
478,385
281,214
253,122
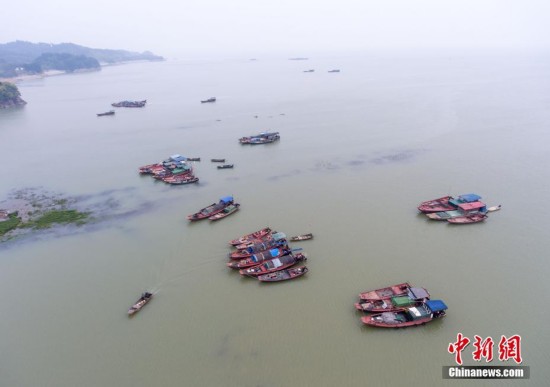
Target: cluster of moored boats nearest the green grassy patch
174,170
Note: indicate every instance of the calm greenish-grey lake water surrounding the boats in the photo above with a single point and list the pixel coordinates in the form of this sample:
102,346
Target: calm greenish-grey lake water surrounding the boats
359,150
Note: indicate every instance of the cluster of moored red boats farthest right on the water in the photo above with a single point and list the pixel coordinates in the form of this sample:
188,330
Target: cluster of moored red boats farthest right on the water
464,209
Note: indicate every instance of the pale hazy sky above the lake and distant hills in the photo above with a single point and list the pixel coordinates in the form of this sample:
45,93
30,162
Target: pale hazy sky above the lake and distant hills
293,27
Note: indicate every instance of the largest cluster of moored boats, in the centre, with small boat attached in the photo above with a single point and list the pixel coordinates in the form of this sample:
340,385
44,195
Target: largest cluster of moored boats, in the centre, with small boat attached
266,256
